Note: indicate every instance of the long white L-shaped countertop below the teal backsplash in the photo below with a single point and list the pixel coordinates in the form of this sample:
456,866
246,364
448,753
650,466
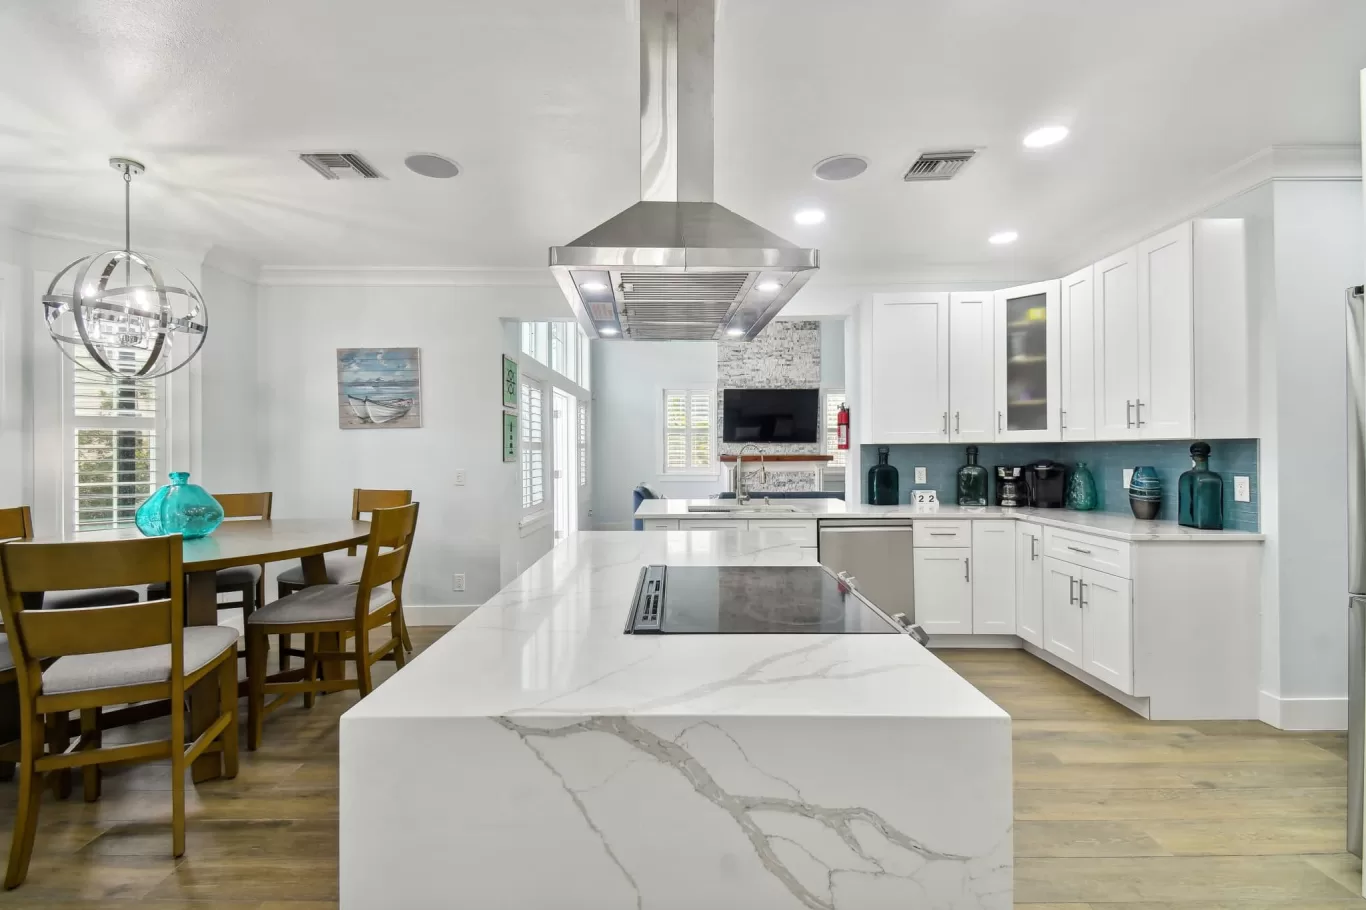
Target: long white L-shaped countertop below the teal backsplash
1102,524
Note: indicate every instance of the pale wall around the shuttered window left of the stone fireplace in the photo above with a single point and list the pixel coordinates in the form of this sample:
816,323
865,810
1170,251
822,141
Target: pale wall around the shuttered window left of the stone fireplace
629,382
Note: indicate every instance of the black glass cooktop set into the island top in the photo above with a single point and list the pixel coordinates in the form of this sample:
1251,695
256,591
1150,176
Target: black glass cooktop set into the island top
734,601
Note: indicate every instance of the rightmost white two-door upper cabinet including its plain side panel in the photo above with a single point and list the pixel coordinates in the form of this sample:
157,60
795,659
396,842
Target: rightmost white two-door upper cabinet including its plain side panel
1173,353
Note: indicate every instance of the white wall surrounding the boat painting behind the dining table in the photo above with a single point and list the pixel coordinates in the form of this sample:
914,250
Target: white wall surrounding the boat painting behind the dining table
312,465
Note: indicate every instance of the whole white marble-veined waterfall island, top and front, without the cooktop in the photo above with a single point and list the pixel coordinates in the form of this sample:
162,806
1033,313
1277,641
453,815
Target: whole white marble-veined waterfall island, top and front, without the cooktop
539,759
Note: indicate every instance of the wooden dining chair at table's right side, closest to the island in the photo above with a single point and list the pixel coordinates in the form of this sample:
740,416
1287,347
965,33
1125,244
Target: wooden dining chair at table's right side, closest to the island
337,611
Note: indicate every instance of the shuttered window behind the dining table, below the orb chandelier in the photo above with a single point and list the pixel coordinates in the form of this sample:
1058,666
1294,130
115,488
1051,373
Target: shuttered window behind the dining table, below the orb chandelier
113,427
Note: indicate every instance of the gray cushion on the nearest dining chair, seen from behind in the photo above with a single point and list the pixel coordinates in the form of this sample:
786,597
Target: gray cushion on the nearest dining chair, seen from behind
81,673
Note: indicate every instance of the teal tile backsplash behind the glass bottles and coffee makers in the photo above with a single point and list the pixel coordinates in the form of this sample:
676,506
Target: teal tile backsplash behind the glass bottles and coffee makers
1107,463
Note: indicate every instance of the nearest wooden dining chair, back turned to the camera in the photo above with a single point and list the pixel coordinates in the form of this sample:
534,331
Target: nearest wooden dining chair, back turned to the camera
109,657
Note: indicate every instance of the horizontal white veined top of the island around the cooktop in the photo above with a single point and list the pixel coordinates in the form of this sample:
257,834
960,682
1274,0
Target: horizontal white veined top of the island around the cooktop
553,644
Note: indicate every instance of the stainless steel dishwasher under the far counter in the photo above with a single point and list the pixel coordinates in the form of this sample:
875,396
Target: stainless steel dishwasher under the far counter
878,554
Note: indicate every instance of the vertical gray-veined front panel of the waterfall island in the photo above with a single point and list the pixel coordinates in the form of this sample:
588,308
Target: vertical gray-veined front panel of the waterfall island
677,814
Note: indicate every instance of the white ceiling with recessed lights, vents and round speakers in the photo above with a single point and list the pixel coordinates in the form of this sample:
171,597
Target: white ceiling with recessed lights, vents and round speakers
538,100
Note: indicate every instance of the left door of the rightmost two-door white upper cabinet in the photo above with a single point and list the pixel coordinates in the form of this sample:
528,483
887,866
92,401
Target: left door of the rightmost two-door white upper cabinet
1115,352
